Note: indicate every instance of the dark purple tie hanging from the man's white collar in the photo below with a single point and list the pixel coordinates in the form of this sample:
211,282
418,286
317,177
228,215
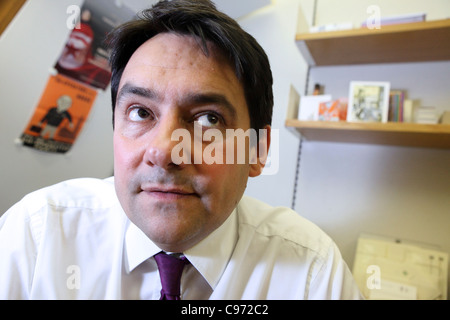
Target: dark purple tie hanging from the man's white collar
170,270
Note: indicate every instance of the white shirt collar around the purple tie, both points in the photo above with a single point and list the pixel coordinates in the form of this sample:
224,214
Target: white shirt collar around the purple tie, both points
210,256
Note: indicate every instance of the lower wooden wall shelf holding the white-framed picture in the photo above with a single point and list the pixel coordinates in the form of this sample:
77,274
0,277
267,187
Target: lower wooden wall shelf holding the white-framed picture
391,133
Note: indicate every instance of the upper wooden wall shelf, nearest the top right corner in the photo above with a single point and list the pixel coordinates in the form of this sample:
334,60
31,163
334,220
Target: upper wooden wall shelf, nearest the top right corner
412,42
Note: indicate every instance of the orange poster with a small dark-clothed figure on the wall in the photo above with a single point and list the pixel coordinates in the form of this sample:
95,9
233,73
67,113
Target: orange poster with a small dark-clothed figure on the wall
59,115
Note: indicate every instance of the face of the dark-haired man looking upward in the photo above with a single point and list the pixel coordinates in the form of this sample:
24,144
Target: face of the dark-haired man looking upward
170,84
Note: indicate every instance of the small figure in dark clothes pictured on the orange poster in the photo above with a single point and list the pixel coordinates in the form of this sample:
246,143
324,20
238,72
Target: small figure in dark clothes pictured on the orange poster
55,117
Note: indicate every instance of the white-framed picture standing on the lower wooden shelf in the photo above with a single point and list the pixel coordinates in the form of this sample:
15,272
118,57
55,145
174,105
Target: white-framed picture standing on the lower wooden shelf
368,101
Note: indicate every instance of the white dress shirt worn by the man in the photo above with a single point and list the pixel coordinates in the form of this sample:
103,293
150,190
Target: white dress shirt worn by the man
73,241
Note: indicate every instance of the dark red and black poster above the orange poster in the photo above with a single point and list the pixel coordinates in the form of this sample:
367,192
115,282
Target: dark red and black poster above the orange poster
85,55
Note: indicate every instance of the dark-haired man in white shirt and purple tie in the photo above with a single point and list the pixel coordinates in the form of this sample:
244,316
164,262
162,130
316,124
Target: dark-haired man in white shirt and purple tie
182,67
